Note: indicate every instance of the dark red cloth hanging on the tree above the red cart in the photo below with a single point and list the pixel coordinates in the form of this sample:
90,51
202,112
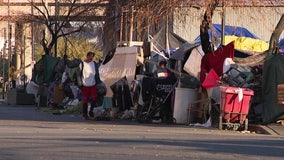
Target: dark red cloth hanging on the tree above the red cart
215,60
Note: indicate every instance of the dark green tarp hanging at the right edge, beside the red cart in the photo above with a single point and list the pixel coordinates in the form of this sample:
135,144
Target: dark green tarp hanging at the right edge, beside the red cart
272,76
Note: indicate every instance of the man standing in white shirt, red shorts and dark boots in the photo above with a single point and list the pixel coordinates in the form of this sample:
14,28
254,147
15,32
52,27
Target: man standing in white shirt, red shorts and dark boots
89,79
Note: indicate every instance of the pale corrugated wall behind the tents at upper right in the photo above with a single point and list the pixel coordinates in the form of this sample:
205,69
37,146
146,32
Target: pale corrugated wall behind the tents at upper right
259,20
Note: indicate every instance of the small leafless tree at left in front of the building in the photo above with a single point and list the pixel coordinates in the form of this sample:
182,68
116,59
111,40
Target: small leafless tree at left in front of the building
61,14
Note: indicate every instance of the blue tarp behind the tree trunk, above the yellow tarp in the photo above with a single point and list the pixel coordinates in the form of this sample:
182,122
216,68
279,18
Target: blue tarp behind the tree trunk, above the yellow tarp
230,30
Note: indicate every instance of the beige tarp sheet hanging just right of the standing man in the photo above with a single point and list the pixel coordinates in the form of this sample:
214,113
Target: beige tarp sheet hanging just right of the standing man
122,64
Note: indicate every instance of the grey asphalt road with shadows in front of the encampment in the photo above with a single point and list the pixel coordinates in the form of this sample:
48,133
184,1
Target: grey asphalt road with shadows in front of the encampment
27,134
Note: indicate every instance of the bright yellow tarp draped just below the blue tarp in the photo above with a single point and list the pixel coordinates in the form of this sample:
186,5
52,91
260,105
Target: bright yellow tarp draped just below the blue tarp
247,44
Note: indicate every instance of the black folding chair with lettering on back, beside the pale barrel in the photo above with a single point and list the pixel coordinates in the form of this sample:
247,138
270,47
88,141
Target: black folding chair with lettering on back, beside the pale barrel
156,95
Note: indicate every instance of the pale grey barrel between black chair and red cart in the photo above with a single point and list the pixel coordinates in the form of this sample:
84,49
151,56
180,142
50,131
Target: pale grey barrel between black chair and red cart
183,96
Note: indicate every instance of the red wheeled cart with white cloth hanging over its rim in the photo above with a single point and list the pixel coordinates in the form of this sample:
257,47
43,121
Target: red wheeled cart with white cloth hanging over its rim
234,107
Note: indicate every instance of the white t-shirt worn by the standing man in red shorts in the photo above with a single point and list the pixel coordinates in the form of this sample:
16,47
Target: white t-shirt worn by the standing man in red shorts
89,72
